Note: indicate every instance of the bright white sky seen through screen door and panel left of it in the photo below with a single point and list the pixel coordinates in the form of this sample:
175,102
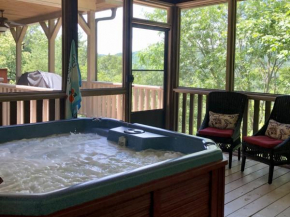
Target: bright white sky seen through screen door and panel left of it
110,33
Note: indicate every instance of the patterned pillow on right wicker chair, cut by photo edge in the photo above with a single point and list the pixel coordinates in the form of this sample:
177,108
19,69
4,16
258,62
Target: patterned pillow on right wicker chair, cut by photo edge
277,130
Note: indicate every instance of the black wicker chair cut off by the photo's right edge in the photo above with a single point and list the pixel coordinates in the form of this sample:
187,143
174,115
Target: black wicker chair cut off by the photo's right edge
270,151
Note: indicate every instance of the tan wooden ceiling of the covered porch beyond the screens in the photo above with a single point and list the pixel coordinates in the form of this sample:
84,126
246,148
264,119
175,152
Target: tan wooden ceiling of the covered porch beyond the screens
31,11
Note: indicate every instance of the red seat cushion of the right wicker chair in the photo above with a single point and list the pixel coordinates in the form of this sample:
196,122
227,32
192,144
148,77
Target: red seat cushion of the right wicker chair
263,141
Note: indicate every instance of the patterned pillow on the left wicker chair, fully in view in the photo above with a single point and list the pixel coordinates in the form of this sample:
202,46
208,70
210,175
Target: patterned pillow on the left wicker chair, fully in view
222,121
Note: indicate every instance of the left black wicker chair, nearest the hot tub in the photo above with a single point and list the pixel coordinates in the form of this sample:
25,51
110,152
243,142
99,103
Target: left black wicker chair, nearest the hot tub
225,103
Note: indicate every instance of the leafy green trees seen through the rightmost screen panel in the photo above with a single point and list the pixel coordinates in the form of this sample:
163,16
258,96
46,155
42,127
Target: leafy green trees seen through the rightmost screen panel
262,48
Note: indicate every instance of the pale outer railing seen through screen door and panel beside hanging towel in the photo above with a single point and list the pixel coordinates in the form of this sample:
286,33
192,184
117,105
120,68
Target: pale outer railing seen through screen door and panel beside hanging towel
145,97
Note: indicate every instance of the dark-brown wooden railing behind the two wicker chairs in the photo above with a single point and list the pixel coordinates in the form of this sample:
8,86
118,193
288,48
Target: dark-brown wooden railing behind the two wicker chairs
192,104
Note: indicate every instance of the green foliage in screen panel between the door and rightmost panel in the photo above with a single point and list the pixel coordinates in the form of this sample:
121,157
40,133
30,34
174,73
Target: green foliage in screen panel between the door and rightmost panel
203,41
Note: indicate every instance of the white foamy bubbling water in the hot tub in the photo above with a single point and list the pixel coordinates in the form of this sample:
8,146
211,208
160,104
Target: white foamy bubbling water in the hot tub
46,164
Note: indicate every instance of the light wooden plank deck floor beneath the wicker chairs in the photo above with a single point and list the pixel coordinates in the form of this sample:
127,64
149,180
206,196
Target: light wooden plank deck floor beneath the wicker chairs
249,194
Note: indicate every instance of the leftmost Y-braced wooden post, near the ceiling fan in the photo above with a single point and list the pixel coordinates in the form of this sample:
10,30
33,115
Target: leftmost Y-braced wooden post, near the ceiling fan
18,36
